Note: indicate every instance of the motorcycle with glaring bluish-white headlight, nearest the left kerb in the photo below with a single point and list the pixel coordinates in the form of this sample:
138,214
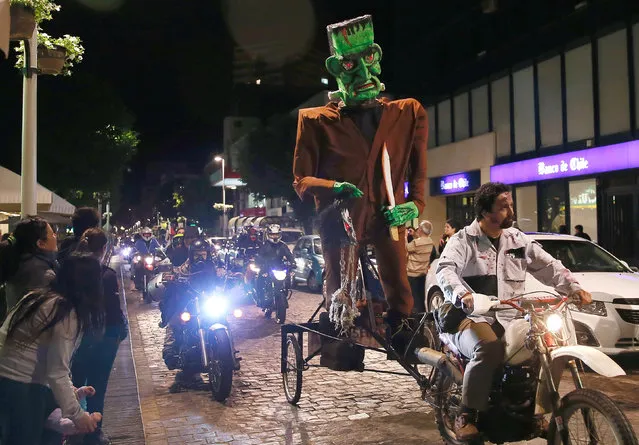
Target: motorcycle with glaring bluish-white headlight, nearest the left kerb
204,336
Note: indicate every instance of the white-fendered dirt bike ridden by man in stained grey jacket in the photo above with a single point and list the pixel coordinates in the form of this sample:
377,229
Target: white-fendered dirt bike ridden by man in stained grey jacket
539,345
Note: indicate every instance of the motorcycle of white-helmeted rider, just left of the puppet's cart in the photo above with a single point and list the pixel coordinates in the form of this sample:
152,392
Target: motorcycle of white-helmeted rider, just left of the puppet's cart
272,289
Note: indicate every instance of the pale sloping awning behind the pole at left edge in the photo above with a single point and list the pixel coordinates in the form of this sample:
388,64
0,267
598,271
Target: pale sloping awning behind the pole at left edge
11,196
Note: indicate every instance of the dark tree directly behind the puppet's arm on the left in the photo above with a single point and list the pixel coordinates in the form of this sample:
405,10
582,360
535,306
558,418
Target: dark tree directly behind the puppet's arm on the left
266,165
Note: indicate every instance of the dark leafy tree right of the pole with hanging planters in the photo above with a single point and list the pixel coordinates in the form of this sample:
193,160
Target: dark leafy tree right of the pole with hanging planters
83,148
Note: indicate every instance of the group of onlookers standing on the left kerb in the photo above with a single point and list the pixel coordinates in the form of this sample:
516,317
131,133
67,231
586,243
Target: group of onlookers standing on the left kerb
61,328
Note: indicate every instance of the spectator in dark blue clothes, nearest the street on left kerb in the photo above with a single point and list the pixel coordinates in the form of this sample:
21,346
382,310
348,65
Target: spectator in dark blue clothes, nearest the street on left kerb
94,359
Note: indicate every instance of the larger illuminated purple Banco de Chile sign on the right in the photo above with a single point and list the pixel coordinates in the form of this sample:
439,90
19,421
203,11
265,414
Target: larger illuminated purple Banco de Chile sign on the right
577,163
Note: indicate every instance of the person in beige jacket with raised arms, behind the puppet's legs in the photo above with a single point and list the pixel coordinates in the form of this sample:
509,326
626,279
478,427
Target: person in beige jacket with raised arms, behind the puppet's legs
420,253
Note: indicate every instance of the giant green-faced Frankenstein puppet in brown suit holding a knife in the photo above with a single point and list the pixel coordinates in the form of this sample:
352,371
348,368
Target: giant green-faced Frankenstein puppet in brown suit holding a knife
339,152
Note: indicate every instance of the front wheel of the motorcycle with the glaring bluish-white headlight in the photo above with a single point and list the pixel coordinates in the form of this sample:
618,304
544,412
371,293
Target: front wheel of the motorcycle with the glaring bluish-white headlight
220,367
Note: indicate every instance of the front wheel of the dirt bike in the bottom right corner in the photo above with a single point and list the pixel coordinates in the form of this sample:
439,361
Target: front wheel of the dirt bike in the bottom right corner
590,416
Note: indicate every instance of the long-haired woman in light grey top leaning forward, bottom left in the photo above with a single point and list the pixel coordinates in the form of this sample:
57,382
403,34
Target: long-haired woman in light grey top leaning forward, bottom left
37,341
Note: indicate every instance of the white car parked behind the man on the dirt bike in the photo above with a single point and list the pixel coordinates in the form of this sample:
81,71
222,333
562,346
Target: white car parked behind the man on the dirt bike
611,322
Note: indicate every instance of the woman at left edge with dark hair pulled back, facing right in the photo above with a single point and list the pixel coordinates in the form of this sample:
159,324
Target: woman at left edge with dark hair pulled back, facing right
29,263
